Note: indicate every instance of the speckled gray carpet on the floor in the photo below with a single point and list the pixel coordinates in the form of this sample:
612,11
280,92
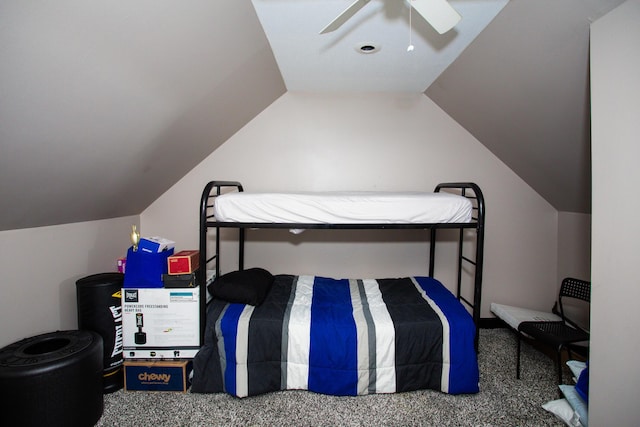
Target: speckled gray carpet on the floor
502,401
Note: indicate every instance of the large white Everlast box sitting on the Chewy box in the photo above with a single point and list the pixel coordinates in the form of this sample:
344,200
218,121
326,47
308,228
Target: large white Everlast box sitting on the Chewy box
160,323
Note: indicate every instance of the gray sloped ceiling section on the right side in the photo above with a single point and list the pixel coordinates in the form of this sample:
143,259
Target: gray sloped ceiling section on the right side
522,89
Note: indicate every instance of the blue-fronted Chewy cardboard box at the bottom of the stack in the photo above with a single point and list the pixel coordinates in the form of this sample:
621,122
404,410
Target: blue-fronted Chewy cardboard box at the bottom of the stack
157,375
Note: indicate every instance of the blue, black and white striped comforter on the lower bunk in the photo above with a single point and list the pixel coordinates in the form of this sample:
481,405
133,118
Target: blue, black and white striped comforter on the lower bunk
340,337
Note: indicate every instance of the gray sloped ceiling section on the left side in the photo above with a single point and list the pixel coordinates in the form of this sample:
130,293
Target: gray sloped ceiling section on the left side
104,105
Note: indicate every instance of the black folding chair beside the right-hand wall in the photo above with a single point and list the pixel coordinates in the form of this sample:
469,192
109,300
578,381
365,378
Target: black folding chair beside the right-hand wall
559,334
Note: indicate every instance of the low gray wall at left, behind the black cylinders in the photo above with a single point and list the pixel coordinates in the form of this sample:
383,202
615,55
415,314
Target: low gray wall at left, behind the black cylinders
40,267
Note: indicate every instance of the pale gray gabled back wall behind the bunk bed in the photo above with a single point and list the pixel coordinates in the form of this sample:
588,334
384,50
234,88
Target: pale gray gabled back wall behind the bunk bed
373,142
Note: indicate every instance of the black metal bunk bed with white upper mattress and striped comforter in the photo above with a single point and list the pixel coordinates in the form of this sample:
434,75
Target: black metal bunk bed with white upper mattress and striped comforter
338,336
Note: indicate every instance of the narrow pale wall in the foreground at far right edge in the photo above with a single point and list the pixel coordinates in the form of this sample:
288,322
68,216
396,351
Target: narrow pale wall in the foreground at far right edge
615,343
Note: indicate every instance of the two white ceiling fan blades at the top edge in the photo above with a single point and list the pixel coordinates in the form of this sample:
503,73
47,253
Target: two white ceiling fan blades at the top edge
438,13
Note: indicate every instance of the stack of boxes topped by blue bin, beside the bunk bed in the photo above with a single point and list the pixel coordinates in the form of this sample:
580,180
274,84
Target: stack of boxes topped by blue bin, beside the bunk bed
160,316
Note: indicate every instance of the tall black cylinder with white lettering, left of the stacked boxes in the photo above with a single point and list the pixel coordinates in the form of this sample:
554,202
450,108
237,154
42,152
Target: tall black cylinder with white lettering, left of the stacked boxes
100,310
